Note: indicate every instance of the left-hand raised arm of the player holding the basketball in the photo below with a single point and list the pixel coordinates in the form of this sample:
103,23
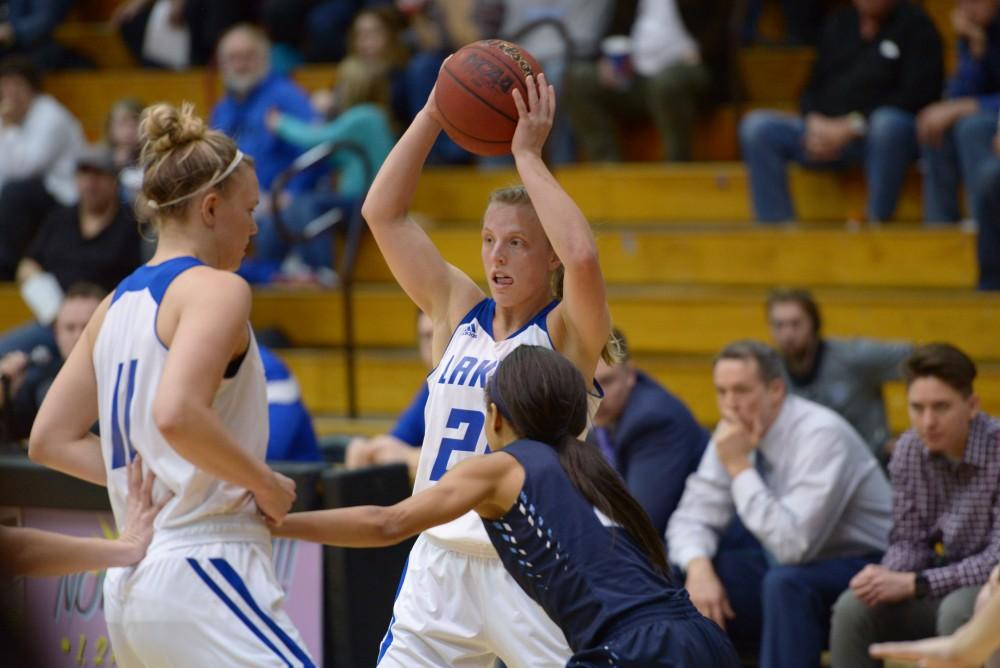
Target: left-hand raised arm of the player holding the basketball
437,288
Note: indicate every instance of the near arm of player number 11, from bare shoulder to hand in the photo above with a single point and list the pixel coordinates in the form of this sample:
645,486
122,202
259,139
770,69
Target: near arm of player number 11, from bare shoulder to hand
206,313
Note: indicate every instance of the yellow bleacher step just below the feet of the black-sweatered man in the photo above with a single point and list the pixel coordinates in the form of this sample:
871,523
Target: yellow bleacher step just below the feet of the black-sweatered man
894,256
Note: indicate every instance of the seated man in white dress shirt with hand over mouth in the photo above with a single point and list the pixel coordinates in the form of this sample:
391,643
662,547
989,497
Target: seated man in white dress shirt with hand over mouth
804,484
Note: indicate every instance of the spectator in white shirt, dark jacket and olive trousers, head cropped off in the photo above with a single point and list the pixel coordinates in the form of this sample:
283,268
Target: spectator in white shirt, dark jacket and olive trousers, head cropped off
677,48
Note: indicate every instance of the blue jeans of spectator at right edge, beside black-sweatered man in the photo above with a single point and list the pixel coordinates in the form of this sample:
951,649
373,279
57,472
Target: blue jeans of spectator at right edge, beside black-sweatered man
963,148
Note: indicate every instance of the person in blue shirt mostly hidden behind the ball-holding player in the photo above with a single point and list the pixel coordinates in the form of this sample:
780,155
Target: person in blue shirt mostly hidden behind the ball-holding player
402,444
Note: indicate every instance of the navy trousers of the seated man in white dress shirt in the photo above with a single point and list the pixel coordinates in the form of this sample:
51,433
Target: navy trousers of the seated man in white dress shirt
783,609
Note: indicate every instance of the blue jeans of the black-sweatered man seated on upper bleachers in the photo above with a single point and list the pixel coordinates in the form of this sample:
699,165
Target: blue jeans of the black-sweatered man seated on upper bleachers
770,140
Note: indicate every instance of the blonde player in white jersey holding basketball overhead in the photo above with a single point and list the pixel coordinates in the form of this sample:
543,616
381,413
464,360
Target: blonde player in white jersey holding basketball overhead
456,605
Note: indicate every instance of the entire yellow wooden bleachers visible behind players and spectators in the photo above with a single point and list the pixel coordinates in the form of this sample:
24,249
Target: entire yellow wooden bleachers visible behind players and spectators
686,268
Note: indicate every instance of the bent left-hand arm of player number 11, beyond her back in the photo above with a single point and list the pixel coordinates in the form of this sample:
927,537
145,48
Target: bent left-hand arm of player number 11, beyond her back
60,437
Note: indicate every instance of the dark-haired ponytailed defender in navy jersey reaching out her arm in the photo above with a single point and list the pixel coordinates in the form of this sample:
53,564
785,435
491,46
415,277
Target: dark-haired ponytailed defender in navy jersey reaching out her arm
561,520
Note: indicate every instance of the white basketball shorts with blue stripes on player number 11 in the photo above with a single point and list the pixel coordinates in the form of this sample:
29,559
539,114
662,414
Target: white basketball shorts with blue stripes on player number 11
204,596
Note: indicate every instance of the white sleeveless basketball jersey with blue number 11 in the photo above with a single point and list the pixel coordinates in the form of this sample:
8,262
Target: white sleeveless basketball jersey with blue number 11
129,359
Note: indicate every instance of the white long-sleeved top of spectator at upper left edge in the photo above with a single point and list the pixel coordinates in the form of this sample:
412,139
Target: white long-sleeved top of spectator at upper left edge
45,144
